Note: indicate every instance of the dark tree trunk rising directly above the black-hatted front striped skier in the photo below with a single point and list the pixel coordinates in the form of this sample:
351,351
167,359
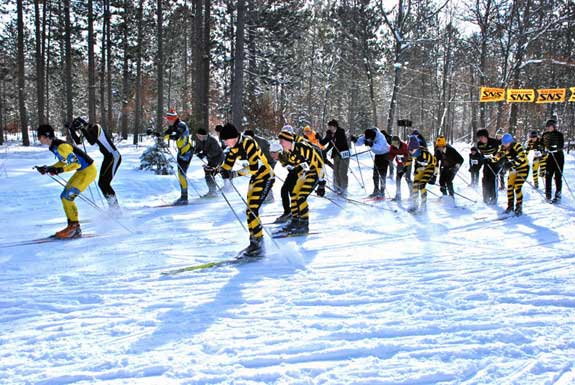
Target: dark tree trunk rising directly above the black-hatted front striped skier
238,81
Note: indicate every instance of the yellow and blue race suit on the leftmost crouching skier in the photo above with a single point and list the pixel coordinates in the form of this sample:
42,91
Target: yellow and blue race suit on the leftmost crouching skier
72,158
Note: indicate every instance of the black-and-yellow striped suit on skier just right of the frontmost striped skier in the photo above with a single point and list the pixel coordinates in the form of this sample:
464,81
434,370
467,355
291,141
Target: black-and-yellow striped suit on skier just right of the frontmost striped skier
308,163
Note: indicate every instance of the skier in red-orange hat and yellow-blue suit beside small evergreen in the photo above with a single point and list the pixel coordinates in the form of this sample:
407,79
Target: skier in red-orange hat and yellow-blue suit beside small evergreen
180,132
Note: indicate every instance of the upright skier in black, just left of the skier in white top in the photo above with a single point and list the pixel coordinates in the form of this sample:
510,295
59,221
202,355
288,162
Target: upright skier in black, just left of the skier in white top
336,139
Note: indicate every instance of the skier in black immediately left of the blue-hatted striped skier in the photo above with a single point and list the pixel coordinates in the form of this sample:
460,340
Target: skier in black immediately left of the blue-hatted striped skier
488,147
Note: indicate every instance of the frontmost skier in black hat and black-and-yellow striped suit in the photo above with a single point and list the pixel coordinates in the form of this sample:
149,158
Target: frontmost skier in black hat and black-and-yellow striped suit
261,181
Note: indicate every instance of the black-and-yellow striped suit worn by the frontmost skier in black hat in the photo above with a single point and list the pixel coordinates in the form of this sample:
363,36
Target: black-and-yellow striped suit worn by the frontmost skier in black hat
262,179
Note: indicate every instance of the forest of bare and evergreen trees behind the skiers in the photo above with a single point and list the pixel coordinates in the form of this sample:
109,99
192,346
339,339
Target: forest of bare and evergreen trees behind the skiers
264,63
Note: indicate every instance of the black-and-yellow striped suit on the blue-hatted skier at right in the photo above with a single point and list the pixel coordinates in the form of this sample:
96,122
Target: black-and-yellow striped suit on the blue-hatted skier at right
517,158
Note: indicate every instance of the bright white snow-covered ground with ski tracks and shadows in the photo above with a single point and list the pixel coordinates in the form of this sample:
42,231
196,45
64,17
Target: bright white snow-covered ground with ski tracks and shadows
374,297
